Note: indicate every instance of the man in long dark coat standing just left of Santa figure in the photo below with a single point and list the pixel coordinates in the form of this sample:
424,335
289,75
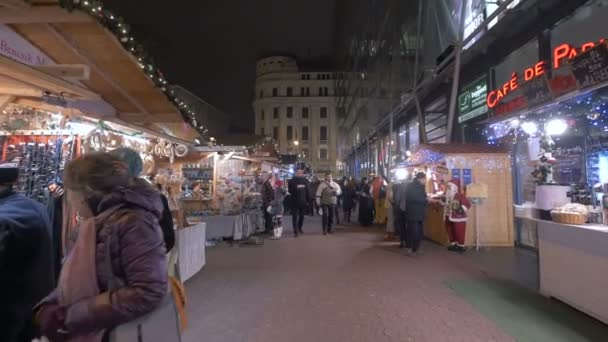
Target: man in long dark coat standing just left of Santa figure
416,202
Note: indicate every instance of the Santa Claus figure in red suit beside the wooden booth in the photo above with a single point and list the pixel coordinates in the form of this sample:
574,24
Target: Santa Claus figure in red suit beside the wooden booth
456,208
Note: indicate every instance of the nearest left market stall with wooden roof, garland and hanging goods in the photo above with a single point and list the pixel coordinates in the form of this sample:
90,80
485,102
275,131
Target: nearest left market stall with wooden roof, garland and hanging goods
74,80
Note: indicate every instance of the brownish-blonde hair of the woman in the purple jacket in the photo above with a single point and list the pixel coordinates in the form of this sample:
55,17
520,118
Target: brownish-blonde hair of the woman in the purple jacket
99,173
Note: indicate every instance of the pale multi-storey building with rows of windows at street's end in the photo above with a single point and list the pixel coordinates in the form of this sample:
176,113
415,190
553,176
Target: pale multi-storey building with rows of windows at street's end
298,109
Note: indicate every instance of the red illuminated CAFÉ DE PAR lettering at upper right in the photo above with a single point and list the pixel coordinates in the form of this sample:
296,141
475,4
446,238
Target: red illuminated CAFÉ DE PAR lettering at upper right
561,54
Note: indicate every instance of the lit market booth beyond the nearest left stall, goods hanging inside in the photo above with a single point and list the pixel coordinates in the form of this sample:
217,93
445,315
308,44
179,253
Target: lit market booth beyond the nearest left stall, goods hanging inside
220,186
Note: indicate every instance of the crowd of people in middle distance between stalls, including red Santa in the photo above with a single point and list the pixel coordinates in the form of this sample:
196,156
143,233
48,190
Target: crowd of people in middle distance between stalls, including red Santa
398,205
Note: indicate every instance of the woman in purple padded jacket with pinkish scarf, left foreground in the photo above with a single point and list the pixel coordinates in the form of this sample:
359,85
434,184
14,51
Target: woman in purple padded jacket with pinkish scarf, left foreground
120,218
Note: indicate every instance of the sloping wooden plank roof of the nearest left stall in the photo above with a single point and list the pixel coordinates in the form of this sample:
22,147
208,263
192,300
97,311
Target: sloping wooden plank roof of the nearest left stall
77,57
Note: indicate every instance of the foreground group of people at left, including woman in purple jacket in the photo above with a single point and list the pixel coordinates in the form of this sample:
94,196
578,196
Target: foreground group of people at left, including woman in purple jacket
115,267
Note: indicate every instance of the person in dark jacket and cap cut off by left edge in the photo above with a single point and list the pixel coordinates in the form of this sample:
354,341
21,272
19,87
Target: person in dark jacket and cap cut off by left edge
26,259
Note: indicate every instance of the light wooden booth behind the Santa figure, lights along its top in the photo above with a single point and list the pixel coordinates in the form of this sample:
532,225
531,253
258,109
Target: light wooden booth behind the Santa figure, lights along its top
485,175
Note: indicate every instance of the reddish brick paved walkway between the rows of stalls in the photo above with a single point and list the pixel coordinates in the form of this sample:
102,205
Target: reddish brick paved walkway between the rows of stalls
349,286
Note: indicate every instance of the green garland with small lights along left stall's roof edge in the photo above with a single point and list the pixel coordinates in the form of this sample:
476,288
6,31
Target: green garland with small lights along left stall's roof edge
122,31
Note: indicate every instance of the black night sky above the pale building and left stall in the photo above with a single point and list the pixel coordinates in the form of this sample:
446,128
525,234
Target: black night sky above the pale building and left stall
210,47
